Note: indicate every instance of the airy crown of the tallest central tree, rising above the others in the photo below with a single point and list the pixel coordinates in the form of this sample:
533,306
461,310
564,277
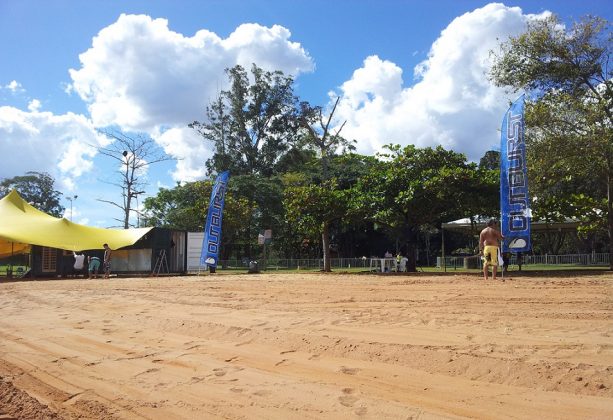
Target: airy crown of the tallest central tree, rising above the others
253,124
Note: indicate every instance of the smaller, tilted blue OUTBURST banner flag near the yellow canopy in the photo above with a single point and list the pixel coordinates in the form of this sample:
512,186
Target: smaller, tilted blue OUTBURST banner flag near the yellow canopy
212,228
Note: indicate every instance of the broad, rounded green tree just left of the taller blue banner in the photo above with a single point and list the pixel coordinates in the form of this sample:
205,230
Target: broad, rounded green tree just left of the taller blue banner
412,187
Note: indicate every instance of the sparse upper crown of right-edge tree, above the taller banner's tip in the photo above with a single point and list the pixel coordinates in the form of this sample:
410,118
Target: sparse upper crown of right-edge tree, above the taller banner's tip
548,57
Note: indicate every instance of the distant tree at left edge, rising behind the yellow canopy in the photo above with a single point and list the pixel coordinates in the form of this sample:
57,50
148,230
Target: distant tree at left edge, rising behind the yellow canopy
37,188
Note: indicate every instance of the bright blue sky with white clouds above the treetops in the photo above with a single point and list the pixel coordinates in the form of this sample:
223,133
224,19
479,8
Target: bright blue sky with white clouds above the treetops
407,72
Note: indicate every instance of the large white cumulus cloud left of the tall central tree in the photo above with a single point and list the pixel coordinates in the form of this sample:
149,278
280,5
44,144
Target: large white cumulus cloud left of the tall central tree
142,76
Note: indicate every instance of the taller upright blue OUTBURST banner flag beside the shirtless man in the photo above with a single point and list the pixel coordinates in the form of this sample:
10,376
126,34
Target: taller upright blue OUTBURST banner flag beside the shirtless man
514,201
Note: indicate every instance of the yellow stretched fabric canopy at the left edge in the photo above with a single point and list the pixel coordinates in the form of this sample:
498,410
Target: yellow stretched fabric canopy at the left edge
24,224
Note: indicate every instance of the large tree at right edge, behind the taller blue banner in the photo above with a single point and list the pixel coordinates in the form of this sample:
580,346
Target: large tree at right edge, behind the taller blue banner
568,75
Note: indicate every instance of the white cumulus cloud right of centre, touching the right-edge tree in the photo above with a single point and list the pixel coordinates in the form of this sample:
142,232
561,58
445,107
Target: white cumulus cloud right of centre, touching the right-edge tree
453,104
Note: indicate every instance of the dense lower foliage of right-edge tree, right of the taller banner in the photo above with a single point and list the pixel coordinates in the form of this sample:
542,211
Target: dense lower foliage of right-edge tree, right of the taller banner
568,161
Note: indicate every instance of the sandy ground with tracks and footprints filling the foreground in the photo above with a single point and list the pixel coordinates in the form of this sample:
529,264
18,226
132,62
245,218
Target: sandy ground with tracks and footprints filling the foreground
336,346
